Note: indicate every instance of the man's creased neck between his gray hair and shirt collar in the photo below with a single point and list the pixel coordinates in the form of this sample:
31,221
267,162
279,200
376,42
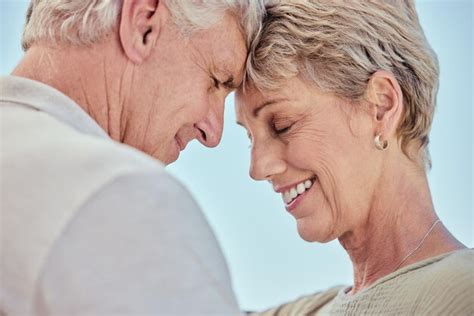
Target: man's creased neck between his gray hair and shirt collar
85,76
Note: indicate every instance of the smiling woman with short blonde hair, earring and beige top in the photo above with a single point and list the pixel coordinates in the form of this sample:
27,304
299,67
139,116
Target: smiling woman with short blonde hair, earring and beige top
338,104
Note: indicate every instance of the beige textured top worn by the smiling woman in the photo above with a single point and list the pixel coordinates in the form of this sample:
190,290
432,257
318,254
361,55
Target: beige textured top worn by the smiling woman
442,285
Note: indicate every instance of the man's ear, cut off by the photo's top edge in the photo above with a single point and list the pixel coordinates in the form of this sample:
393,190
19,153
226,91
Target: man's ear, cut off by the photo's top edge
139,28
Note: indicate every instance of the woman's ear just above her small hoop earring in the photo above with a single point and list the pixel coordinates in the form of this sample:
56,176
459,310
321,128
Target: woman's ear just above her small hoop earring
386,102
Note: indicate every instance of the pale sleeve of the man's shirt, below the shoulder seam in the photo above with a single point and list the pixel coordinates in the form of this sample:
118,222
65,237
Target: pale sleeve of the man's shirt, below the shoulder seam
138,246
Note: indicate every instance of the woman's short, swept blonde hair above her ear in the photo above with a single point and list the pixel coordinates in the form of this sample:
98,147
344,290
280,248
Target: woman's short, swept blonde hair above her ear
338,44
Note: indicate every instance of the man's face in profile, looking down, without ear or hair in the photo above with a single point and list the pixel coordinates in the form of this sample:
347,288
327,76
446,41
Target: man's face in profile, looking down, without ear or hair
181,89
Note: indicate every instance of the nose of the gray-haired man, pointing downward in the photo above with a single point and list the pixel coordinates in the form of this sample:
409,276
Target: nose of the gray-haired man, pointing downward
210,128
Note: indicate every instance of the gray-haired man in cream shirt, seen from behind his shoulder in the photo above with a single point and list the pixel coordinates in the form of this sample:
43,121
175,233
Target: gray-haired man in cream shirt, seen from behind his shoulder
90,222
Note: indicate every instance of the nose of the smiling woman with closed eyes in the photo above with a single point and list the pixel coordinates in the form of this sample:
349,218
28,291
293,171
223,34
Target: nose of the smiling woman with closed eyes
266,162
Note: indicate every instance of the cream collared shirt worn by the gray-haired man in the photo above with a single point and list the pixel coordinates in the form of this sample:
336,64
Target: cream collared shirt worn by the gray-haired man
90,226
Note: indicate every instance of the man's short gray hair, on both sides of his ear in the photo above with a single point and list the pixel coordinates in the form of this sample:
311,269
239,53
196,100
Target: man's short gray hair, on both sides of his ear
86,22
